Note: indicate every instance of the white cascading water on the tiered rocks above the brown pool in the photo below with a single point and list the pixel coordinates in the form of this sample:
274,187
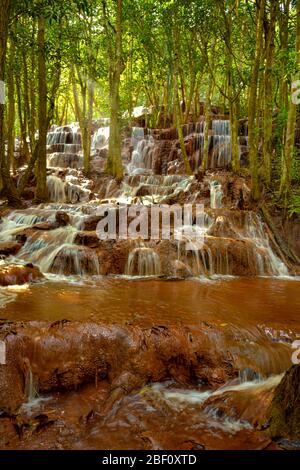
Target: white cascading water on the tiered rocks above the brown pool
55,250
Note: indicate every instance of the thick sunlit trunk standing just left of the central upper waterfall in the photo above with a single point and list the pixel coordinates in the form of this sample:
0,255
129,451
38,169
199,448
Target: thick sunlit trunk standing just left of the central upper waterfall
114,162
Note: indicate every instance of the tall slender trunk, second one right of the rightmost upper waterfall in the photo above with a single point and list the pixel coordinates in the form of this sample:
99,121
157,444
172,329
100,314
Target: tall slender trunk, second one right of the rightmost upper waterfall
252,105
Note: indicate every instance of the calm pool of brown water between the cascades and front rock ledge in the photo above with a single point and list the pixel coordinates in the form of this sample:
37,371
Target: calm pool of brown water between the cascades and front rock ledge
240,301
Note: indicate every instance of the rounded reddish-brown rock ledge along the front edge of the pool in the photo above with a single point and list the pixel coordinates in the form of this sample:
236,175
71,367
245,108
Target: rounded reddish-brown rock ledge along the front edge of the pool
64,355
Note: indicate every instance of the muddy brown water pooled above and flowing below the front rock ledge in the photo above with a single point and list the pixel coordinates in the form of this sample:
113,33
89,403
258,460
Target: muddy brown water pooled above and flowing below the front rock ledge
266,312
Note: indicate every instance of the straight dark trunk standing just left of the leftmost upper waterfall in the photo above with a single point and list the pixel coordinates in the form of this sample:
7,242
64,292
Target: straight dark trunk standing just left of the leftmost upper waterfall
41,171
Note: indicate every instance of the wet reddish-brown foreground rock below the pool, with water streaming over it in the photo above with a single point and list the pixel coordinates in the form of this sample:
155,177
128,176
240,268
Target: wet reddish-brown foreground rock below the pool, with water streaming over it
98,383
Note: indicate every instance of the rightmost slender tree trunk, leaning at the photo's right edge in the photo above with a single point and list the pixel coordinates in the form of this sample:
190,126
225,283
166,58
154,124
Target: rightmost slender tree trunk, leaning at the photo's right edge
287,158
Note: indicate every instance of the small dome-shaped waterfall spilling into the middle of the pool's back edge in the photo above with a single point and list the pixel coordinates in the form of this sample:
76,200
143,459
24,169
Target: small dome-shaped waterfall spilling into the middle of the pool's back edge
143,261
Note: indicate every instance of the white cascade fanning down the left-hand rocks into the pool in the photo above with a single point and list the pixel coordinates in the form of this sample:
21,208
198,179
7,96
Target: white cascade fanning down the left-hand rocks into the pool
51,250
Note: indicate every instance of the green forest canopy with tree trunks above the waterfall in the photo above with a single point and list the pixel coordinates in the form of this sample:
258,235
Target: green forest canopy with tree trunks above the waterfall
82,60
